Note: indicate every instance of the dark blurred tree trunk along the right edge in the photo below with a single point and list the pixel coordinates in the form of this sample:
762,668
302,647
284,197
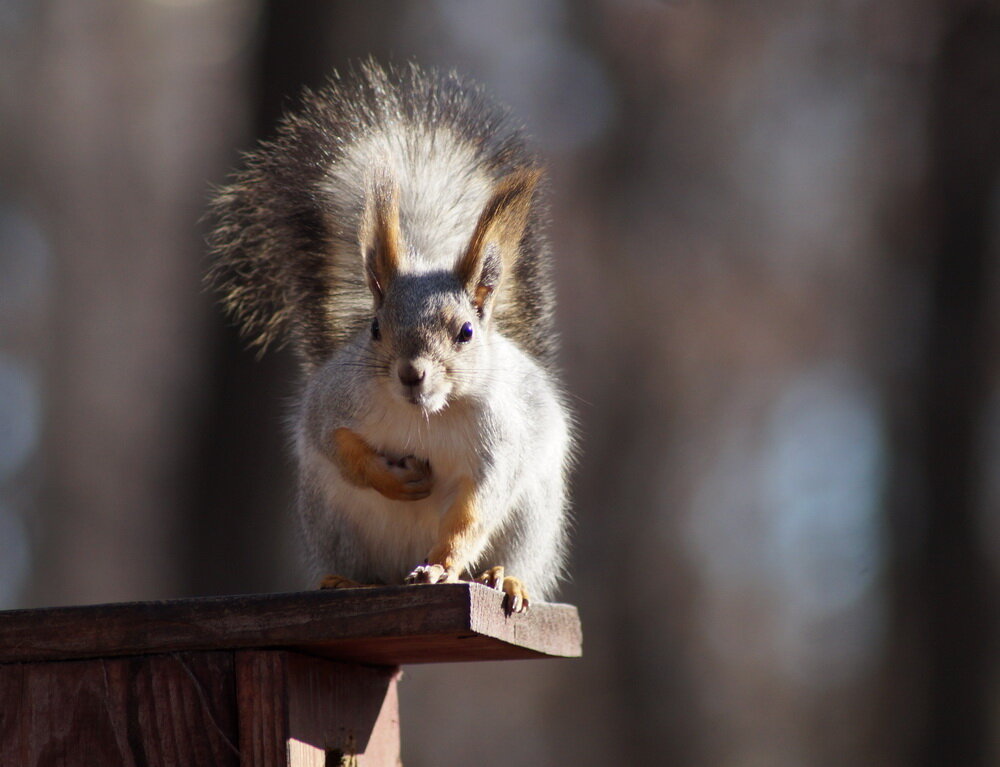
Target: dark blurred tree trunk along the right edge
945,595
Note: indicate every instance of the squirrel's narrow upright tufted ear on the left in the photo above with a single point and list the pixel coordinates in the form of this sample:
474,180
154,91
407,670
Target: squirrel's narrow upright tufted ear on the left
379,235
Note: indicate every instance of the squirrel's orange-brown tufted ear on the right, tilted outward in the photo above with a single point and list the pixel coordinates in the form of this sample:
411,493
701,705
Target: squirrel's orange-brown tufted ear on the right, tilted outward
497,236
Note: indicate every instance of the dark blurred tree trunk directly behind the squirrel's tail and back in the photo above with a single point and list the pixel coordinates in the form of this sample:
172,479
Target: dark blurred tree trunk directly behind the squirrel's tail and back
240,525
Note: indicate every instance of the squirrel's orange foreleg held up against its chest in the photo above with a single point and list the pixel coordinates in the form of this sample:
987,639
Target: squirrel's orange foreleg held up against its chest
405,479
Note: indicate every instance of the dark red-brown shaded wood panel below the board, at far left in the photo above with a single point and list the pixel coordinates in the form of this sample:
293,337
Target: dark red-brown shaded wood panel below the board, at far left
171,710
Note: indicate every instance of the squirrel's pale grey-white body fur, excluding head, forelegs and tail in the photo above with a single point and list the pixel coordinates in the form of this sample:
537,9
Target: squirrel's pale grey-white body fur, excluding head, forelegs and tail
507,430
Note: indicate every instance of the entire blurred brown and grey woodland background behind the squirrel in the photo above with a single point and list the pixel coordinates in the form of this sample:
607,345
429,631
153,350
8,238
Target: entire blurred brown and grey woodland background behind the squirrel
776,226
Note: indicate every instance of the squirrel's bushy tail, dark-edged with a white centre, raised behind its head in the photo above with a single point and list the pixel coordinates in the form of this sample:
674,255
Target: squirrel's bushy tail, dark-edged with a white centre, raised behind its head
285,242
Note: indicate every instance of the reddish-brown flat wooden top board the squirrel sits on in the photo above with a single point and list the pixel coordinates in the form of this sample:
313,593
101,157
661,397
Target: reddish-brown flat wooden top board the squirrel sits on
388,626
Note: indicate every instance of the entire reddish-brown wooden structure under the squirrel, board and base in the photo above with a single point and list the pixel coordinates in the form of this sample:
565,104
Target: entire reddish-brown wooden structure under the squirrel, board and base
305,679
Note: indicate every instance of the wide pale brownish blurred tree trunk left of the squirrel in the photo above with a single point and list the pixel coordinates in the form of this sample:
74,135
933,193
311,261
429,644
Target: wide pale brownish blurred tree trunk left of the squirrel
129,111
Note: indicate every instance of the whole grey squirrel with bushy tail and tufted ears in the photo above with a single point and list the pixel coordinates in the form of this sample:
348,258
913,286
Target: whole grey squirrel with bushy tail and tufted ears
392,232
